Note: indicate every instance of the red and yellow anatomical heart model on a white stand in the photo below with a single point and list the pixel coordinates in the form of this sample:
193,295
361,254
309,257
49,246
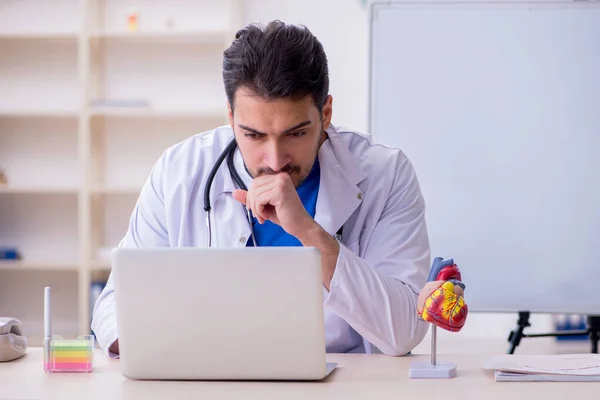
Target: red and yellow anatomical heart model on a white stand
441,302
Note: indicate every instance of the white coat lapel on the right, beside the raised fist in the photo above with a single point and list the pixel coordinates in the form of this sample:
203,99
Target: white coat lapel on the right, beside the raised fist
339,195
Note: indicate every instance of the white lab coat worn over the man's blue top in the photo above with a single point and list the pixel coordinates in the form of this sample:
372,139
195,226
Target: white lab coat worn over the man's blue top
371,189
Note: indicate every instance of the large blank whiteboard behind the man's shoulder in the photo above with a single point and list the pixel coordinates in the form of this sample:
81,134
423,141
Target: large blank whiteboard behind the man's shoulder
498,108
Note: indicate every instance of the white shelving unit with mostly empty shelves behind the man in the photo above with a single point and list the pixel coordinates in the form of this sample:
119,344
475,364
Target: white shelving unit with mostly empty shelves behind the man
75,160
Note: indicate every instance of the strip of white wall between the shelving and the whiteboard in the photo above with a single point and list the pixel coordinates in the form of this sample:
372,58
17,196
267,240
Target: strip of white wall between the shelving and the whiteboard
341,26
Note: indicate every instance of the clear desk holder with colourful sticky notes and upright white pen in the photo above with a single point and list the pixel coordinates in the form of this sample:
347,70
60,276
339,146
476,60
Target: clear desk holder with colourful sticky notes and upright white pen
65,355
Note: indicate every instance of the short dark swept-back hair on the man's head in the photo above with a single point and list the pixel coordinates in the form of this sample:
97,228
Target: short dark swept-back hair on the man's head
276,61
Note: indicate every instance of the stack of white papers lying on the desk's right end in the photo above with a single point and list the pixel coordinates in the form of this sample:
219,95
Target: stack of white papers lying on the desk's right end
559,367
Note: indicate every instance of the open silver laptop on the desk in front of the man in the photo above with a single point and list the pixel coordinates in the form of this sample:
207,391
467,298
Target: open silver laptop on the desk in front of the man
220,313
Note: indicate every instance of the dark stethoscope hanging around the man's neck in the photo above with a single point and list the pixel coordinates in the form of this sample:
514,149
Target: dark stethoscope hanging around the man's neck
229,152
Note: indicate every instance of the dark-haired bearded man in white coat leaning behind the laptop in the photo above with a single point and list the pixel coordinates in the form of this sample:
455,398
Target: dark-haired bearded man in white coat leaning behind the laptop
306,179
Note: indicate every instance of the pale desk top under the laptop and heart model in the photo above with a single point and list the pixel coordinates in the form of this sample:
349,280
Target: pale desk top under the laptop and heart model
357,377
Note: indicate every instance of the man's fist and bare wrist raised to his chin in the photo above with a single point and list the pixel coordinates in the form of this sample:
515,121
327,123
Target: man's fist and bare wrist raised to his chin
274,198
